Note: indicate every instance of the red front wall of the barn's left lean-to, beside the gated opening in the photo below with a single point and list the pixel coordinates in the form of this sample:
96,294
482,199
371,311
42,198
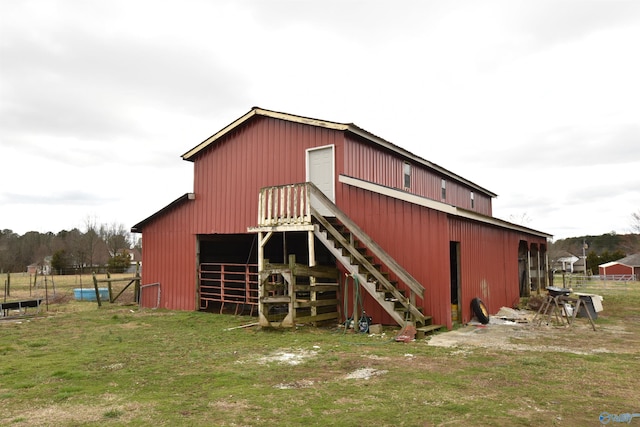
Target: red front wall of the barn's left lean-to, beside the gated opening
169,257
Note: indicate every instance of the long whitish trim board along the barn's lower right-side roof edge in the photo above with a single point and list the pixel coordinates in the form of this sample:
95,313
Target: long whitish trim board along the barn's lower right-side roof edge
435,205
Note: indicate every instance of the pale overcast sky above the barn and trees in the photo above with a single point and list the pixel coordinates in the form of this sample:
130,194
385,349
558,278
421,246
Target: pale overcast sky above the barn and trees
537,101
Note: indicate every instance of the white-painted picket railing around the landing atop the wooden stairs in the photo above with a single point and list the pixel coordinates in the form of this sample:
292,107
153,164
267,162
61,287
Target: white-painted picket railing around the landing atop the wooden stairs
284,205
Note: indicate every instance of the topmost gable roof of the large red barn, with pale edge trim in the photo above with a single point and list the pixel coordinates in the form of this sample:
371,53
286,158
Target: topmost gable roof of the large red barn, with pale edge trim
344,127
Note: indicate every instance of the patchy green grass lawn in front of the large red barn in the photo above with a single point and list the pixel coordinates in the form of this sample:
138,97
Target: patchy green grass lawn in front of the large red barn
77,364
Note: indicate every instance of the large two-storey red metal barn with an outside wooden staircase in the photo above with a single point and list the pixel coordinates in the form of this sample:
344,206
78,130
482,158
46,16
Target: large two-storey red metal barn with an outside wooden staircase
408,239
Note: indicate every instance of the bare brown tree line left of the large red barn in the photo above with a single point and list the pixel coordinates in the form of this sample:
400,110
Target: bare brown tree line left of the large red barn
69,251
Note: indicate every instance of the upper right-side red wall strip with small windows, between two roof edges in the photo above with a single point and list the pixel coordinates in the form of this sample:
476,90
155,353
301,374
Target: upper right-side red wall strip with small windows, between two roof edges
372,164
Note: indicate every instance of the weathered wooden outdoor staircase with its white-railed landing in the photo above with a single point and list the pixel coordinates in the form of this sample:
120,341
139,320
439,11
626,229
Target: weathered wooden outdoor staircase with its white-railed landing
360,255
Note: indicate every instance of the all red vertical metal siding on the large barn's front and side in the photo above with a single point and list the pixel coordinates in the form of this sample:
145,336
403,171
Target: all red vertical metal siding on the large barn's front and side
266,151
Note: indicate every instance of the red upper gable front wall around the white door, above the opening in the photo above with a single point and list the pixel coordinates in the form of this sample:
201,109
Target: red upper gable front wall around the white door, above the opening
229,176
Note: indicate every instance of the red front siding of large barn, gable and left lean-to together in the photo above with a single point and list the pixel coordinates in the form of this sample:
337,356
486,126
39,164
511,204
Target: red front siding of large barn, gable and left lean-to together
227,180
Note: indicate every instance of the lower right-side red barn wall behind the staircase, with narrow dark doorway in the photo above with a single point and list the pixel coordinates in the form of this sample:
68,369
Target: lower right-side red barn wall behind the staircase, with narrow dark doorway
418,238
